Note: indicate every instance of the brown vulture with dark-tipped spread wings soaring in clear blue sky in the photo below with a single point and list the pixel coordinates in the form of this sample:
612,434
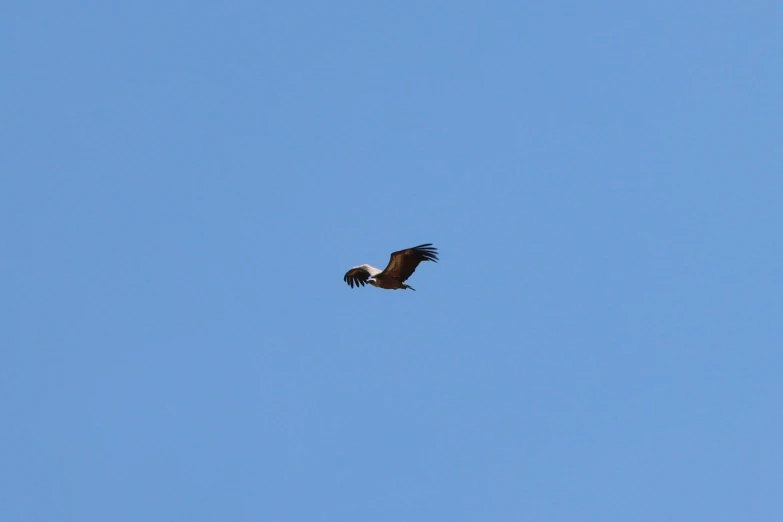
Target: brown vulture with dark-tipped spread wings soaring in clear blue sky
401,265
